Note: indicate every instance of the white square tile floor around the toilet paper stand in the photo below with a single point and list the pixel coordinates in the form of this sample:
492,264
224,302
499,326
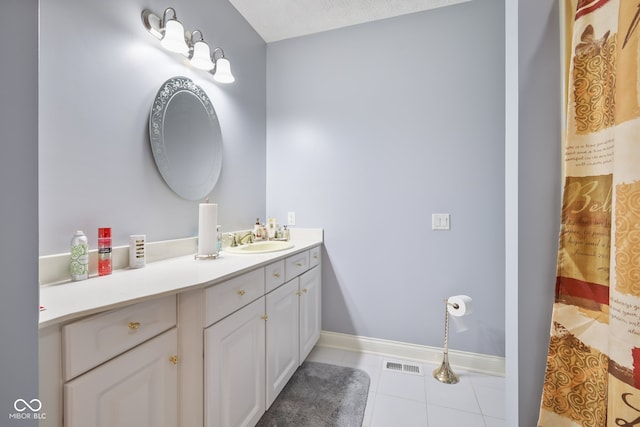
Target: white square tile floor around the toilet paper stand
402,399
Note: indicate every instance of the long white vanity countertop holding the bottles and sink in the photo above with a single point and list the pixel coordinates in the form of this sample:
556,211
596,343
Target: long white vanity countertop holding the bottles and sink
70,300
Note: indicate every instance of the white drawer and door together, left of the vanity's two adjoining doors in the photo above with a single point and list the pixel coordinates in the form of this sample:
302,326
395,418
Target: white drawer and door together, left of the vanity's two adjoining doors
234,351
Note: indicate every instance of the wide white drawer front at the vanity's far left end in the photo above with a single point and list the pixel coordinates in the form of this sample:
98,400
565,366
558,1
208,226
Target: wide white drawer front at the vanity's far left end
96,339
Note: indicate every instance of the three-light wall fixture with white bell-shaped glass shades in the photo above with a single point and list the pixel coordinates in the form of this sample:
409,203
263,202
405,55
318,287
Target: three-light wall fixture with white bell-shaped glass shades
174,38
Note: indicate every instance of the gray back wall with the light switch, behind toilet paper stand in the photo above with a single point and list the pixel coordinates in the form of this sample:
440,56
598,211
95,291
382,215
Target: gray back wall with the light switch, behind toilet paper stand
373,128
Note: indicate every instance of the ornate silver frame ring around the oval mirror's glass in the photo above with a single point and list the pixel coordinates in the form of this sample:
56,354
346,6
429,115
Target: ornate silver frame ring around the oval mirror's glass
167,92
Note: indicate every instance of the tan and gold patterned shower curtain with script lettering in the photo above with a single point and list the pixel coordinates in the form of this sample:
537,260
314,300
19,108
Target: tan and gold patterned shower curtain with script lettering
593,365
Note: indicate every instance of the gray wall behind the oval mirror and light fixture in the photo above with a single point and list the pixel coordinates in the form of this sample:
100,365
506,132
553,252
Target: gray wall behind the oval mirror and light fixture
99,73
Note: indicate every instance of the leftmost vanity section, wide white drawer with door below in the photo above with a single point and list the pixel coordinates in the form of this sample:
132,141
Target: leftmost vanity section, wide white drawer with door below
138,382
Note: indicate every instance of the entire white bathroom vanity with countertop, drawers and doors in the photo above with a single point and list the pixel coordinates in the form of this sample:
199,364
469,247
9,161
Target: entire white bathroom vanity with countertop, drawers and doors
181,342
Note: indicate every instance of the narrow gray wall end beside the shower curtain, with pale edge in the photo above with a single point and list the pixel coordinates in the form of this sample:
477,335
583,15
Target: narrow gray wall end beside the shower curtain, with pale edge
533,198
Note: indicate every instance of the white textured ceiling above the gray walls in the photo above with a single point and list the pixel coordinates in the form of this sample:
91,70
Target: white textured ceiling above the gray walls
283,19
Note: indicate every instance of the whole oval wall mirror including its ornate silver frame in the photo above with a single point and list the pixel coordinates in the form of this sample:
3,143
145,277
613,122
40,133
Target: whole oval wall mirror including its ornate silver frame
186,140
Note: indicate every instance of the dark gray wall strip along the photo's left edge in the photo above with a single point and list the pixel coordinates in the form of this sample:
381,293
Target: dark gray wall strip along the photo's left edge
19,207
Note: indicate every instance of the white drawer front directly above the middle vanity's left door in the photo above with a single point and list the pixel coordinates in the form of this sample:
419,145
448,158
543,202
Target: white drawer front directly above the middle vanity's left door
227,297
